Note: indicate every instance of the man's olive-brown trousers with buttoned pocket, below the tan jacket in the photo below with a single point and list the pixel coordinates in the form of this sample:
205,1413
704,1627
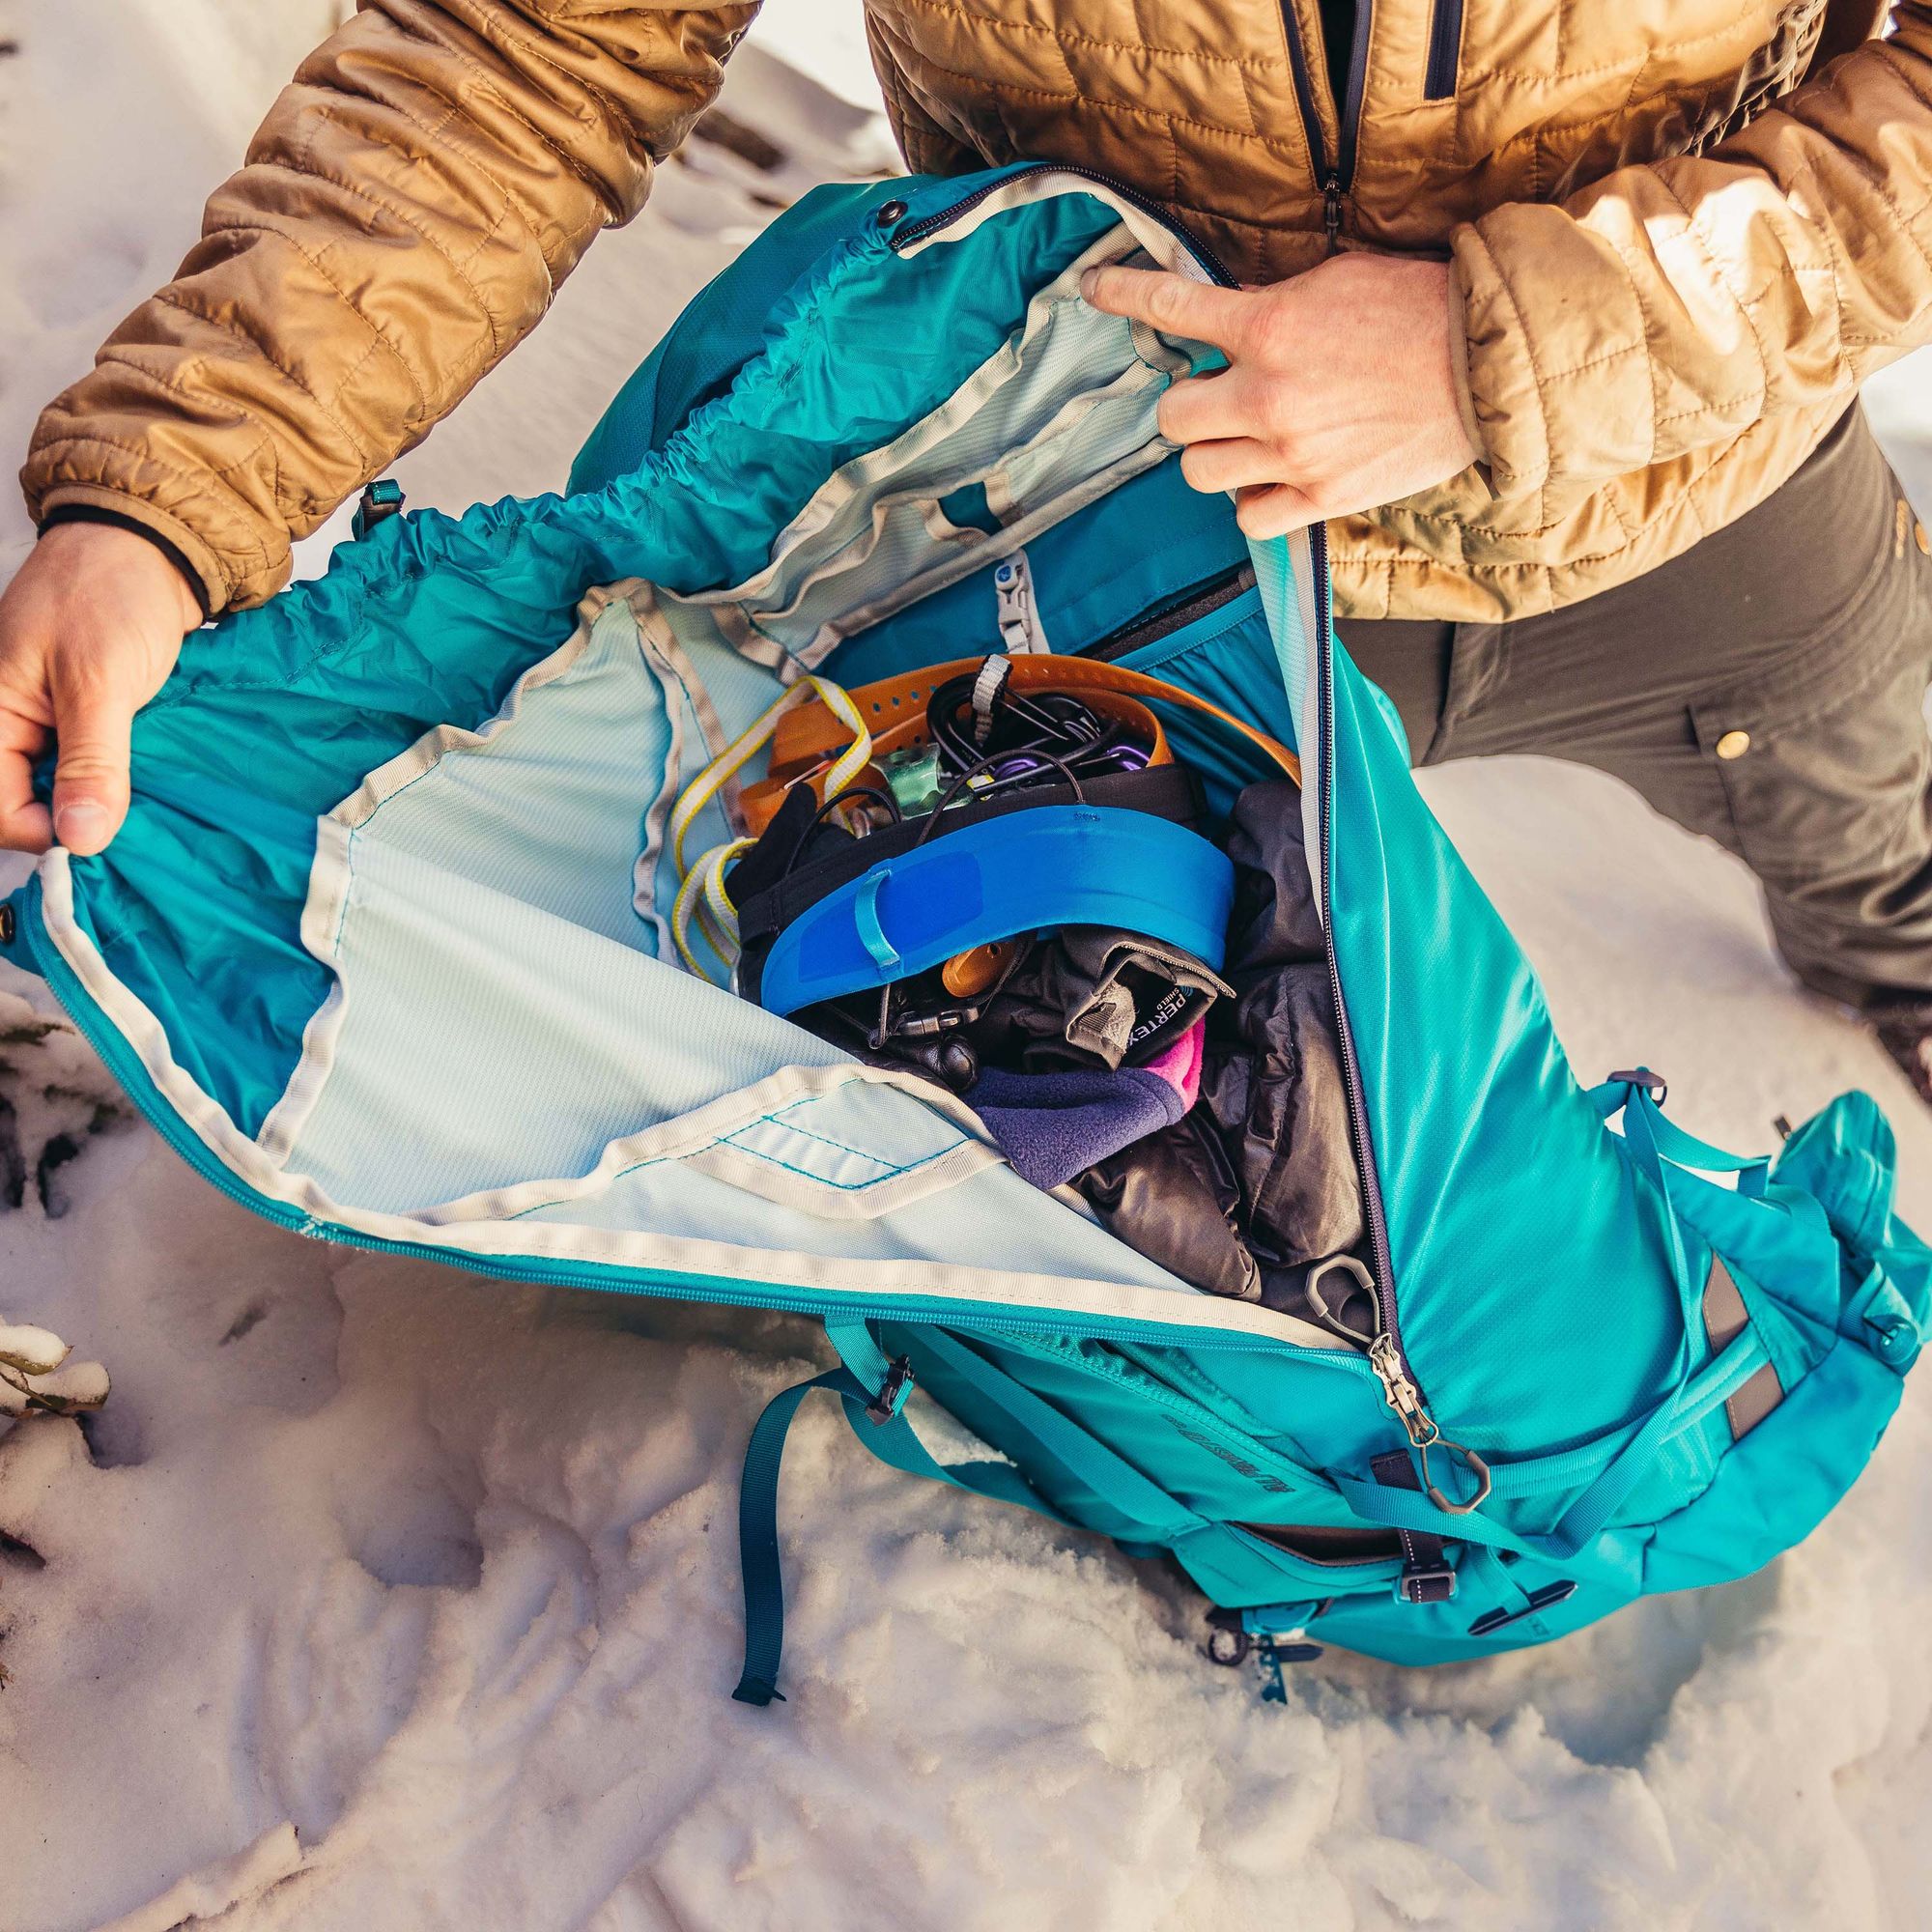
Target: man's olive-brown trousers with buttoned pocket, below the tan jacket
1767,689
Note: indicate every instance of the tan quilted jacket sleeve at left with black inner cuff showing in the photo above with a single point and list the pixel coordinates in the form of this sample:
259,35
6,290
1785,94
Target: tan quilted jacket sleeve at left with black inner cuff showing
405,217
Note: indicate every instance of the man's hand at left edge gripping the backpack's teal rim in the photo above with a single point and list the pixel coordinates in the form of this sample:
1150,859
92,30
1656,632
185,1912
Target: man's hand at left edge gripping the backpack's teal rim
88,633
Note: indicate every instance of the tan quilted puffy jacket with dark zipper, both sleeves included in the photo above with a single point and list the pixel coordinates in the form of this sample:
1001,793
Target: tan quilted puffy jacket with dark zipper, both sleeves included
1682,235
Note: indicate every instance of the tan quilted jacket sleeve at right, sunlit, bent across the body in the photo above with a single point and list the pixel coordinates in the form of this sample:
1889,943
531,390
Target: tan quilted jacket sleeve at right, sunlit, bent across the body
1678,302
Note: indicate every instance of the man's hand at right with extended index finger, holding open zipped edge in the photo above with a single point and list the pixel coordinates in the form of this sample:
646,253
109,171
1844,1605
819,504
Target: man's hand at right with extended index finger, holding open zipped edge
1340,393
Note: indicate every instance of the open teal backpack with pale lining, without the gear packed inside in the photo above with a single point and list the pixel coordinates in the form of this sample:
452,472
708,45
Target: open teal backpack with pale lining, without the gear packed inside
385,952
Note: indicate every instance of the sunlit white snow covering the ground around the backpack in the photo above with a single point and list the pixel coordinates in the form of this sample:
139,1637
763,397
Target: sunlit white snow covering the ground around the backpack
387,1599
